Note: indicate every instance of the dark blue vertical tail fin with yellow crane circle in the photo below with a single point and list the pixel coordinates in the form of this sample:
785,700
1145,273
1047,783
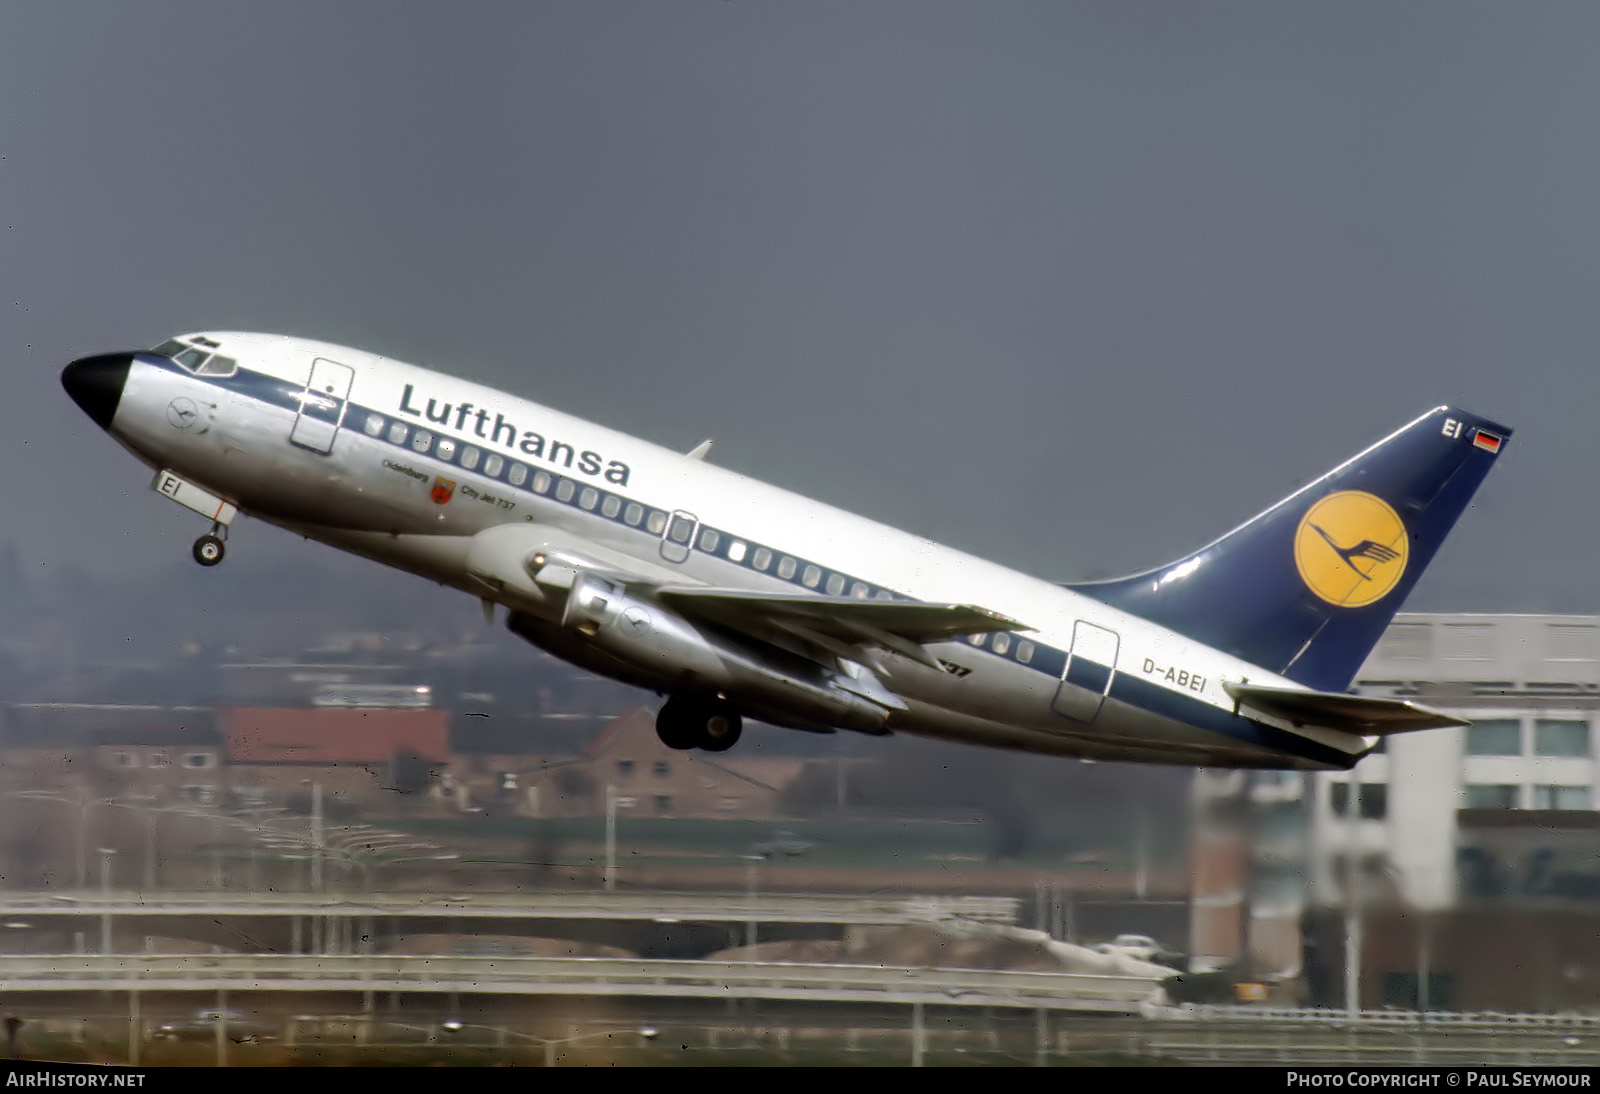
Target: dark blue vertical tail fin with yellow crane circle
1310,586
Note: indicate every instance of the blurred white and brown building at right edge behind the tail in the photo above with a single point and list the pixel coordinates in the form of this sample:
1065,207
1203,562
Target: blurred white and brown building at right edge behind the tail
1470,858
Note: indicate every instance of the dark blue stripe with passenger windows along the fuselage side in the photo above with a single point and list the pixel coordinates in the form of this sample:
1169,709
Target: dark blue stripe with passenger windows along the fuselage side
420,442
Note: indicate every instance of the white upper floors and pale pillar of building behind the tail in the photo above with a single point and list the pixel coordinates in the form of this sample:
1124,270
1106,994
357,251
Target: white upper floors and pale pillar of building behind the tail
1529,684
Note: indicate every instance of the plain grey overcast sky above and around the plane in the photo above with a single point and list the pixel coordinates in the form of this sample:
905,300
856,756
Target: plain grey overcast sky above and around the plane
1070,285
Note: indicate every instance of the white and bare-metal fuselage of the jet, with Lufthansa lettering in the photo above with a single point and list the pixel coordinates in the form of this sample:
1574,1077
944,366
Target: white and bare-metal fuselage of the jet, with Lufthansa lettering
366,477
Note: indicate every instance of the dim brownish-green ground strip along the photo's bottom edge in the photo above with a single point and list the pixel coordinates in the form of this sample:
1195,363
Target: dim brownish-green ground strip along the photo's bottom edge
902,1037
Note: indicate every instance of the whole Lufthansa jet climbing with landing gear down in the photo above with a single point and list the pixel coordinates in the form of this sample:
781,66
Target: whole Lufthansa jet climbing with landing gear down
740,601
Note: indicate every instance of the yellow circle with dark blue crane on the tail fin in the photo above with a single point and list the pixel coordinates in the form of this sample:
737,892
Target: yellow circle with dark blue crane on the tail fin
1351,549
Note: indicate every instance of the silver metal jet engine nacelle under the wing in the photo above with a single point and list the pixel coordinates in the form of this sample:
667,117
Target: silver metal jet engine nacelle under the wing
679,653
